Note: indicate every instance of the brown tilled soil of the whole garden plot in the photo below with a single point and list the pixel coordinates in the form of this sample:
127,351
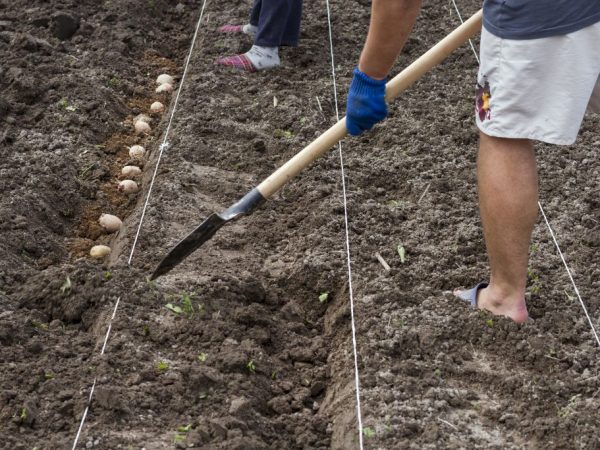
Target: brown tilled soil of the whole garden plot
238,347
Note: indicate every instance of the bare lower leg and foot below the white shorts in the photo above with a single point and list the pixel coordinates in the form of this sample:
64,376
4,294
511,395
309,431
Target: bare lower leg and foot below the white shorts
508,194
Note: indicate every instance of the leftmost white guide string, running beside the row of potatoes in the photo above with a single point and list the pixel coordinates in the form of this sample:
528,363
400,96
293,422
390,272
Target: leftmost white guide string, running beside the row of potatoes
162,148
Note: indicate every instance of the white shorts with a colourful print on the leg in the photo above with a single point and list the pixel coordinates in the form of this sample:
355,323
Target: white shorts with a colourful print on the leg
538,88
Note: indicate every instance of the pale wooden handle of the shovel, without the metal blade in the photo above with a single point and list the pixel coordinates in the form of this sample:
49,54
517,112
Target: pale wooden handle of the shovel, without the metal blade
399,83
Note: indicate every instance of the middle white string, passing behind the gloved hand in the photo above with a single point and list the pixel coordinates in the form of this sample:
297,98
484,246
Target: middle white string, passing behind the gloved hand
348,259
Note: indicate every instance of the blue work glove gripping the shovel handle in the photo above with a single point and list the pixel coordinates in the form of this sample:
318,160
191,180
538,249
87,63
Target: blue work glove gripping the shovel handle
365,105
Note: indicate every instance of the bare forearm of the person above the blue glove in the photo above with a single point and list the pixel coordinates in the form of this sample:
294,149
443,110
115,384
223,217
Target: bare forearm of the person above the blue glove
391,24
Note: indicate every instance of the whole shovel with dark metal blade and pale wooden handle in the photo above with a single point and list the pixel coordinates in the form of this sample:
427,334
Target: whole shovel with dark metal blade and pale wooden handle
319,146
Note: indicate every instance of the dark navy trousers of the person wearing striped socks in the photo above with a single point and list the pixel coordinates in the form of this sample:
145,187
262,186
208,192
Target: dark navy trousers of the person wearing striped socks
278,22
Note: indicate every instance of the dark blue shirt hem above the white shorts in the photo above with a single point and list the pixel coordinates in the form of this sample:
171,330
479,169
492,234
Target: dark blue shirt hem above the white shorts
532,19
